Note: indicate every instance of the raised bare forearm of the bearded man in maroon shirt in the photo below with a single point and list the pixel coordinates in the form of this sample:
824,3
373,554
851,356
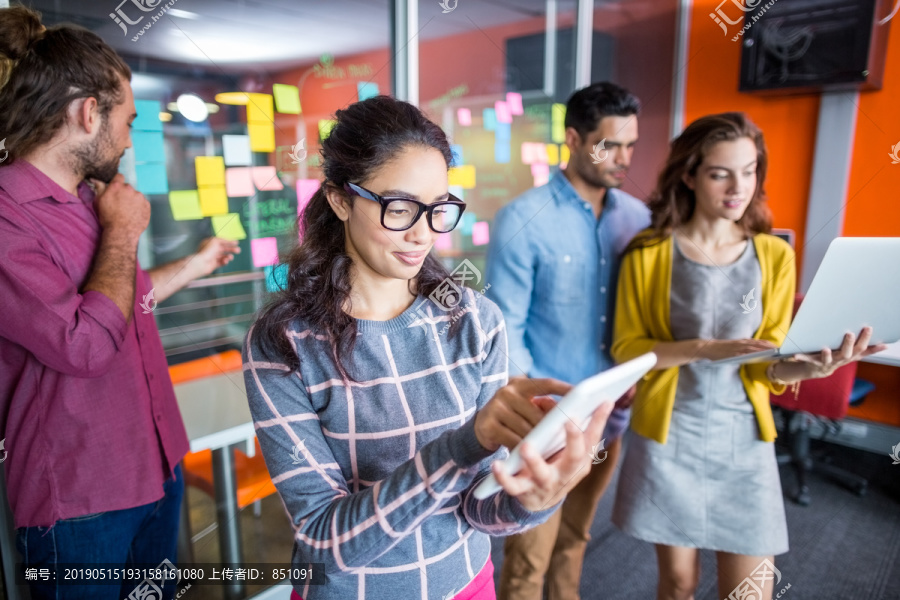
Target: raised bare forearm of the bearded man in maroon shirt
114,270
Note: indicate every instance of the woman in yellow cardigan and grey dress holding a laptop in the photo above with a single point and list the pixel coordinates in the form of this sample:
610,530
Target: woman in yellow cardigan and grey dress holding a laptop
705,282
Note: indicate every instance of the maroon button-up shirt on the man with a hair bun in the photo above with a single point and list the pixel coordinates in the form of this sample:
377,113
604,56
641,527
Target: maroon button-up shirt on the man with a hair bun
87,407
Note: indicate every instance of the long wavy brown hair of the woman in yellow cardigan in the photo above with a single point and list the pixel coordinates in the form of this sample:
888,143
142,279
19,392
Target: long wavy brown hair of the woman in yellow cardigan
672,203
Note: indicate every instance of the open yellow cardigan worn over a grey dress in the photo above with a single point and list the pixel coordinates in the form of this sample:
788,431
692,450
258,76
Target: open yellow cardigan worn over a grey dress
642,320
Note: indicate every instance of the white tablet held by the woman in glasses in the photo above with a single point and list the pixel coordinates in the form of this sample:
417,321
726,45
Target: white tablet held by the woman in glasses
549,436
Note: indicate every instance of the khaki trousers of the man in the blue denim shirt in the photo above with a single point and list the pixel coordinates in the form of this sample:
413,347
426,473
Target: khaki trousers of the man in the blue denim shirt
556,548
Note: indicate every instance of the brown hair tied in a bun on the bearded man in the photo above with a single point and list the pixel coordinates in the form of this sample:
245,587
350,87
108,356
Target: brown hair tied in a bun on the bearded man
43,70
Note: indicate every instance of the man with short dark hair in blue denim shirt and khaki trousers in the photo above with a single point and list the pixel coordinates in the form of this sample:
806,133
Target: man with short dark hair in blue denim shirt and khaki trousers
553,266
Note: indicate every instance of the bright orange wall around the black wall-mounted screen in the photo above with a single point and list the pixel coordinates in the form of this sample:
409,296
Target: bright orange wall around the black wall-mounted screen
789,124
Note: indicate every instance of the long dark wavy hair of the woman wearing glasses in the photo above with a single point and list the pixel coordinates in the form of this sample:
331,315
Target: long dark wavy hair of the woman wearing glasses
368,135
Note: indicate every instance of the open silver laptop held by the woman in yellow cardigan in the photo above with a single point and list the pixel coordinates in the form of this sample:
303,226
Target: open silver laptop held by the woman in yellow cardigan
857,284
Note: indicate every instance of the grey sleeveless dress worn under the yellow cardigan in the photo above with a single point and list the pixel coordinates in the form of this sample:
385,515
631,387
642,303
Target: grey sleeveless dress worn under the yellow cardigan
714,484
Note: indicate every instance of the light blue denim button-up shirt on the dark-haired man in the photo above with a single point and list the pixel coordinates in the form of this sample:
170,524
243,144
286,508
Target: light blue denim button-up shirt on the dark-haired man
553,267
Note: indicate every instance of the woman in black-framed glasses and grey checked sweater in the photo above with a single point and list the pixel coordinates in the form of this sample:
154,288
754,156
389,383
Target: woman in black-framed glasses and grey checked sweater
375,426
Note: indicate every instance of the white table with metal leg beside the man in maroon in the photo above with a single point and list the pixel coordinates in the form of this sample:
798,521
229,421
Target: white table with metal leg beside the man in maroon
217,417
